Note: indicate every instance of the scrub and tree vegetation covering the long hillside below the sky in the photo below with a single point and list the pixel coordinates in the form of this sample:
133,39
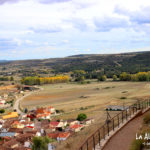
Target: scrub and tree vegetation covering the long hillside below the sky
104,64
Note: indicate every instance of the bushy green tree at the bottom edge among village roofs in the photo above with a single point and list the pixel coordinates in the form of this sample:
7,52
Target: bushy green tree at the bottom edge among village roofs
41,143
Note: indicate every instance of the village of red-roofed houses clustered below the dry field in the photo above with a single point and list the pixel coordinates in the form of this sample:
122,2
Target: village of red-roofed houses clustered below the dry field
17,130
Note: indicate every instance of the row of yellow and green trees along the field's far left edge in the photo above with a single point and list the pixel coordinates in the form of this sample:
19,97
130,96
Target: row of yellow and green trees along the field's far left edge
44,80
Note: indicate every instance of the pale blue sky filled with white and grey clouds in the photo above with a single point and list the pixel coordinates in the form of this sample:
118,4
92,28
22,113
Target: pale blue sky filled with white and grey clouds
38,29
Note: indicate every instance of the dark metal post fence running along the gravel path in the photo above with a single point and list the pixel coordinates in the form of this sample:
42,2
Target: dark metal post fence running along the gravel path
112,125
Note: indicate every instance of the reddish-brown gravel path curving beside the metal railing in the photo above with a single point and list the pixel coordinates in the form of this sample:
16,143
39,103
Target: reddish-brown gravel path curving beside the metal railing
123,139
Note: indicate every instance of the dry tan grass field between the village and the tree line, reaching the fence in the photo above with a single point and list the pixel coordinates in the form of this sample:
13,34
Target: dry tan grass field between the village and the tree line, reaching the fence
91,99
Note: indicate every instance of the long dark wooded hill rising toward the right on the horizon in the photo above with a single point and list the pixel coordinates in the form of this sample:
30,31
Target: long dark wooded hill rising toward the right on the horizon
108,63
